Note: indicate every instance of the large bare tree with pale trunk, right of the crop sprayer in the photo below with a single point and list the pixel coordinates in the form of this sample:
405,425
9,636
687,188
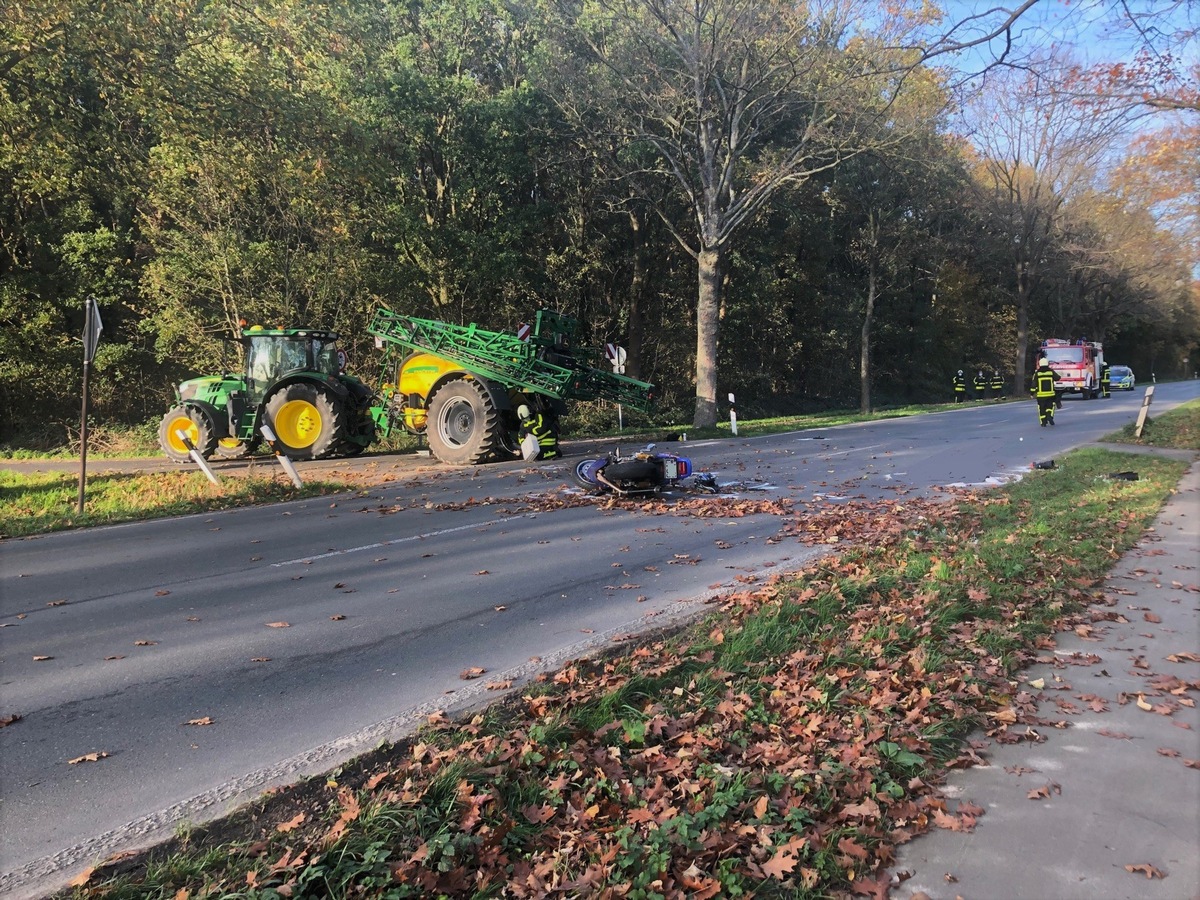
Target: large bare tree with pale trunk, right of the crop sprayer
740,98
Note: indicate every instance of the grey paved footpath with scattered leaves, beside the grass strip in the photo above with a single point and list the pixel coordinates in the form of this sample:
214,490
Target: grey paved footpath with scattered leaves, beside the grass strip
1109,807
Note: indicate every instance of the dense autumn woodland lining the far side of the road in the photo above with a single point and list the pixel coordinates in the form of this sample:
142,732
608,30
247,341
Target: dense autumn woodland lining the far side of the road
795,202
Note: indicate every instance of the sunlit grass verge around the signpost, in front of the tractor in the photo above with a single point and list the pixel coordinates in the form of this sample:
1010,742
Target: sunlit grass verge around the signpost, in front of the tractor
50,501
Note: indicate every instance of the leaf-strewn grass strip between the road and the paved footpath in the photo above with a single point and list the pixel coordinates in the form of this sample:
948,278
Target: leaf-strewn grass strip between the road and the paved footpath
779,748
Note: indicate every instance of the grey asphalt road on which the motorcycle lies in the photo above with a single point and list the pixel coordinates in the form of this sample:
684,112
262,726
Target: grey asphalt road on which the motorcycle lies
301,634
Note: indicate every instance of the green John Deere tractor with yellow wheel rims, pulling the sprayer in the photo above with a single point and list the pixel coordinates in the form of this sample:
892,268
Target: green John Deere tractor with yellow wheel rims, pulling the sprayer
295,383
